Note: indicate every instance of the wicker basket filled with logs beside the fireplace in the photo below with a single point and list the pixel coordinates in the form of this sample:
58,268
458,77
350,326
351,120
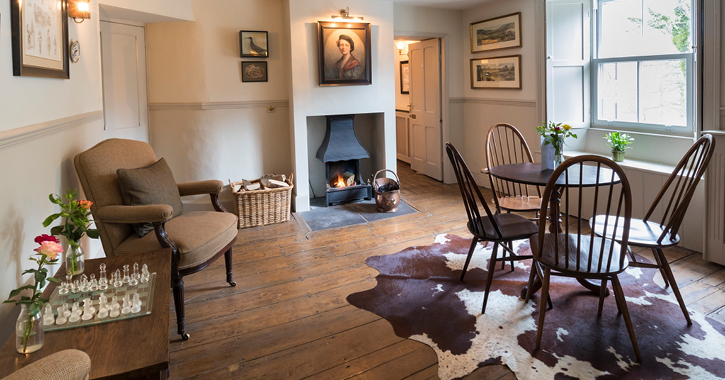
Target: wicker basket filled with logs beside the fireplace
262,207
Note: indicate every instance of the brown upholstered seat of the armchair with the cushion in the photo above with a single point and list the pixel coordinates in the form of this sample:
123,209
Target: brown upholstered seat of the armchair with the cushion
199,235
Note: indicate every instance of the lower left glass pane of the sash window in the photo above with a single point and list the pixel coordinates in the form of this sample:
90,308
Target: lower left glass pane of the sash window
618,91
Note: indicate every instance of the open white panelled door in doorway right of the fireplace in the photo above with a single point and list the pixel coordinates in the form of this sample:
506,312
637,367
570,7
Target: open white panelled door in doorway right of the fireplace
425,108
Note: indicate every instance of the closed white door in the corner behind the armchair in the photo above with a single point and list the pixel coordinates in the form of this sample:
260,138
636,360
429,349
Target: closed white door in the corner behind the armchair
123,60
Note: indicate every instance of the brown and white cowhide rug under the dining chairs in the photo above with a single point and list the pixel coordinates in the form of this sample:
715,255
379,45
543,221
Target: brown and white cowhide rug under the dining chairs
418,291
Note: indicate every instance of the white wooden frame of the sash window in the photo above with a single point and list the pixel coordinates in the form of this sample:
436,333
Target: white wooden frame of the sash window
690,80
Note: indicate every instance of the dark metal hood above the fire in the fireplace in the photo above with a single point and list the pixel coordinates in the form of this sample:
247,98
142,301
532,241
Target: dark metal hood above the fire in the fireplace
340,143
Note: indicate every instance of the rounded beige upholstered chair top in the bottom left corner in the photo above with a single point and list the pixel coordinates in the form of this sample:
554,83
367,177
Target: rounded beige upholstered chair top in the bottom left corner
63,365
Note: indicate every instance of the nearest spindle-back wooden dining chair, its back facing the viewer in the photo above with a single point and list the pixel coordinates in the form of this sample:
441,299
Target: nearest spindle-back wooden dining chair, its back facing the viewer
582,254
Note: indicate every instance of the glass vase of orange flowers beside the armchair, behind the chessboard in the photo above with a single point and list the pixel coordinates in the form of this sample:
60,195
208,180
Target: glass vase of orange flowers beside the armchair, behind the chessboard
76,214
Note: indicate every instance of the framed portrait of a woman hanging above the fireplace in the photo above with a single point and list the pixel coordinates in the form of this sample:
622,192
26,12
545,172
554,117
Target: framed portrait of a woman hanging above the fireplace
344,53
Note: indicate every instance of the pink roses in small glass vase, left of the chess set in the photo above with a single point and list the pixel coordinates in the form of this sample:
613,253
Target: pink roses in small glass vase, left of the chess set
29,328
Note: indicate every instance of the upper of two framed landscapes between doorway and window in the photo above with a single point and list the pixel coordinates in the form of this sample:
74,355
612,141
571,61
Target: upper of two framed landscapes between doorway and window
496,33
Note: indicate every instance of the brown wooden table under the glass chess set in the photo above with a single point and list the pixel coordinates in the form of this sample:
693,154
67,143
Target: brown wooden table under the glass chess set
128,348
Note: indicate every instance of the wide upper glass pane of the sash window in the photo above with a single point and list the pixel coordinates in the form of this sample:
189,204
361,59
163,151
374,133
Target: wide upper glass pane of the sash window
644,27
